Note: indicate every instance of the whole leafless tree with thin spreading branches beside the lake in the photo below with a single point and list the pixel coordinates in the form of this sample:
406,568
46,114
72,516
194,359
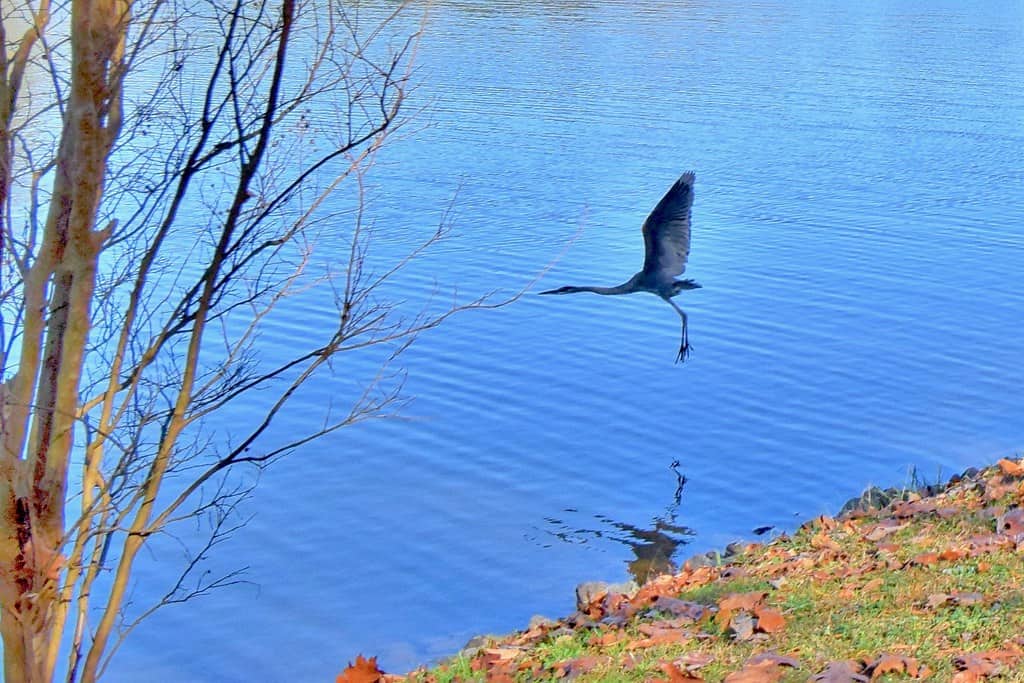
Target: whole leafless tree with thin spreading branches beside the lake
165,169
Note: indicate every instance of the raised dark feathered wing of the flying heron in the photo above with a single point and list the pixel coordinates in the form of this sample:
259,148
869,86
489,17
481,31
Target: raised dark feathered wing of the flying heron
667,231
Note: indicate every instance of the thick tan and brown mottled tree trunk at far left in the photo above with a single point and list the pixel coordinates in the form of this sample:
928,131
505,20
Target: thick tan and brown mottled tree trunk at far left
38,442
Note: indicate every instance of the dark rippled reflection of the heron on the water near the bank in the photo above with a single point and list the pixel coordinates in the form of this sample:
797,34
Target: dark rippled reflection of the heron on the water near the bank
654,546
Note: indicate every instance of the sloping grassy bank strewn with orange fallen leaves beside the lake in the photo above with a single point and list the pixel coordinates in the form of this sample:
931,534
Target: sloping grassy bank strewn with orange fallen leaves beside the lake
928,587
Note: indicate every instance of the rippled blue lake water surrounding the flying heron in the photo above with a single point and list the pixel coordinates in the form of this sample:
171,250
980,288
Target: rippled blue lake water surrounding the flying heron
860,235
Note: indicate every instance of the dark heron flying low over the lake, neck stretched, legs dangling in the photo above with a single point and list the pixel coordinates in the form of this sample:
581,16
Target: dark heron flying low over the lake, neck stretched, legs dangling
667,245
